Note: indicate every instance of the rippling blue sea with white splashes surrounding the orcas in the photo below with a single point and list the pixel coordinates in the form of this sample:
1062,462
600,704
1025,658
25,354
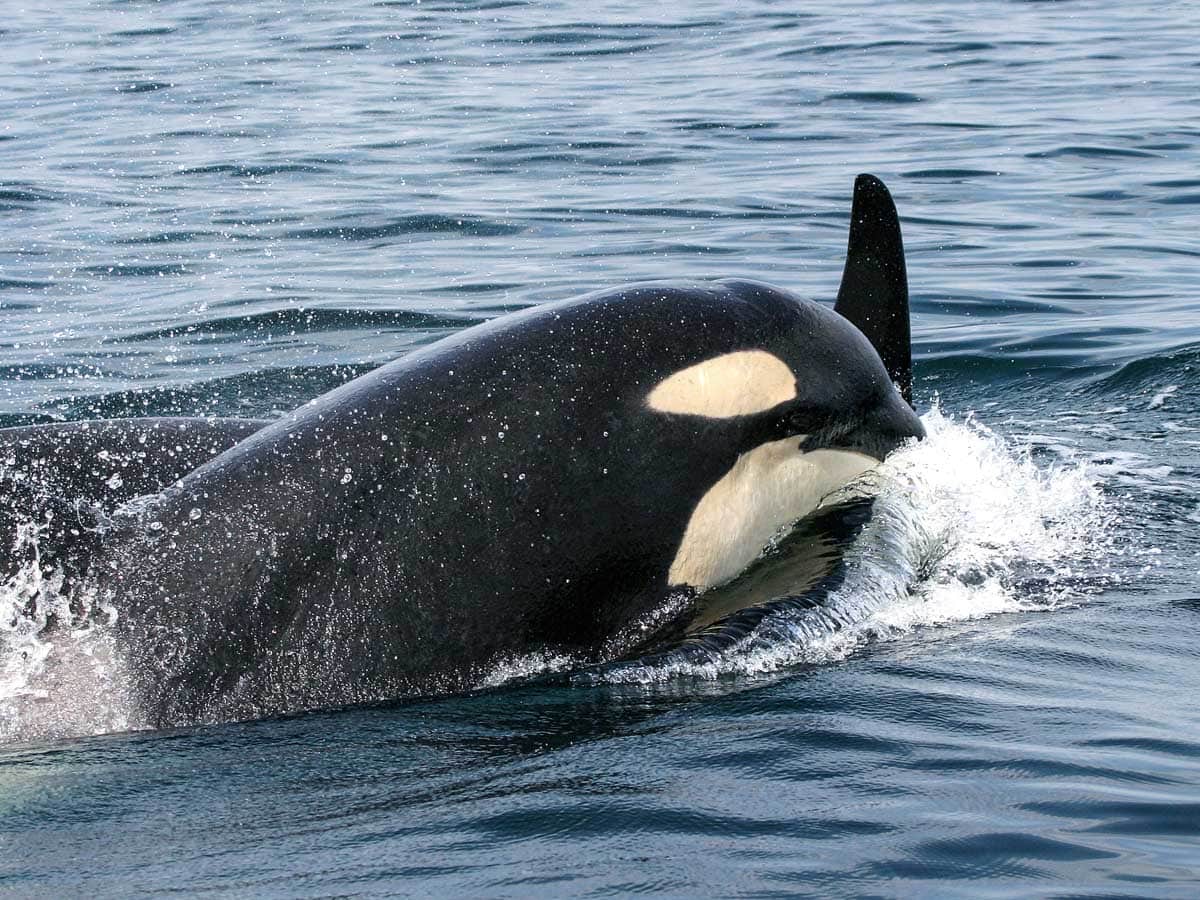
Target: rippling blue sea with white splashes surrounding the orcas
227,209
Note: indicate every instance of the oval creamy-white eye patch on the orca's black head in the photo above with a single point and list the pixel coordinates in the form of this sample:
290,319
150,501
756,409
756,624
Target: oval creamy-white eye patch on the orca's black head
731,385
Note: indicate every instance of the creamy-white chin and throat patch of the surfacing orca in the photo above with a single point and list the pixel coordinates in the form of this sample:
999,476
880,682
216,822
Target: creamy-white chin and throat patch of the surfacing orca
769,489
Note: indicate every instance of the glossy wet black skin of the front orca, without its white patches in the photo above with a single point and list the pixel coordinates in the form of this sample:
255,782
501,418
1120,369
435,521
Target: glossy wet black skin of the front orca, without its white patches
268,581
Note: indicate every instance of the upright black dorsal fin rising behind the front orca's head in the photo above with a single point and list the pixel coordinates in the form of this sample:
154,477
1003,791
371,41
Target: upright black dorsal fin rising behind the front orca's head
874,292
